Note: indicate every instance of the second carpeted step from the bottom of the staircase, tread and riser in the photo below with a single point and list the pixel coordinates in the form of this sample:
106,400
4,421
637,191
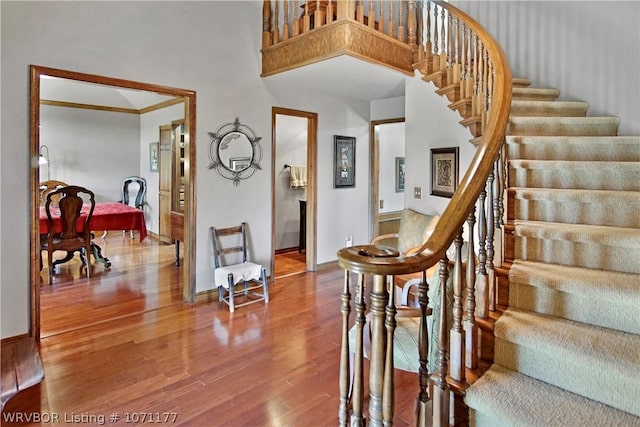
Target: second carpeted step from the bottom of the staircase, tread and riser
595,362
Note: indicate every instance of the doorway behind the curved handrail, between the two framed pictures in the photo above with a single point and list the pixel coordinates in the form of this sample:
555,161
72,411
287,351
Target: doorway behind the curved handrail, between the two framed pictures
387,147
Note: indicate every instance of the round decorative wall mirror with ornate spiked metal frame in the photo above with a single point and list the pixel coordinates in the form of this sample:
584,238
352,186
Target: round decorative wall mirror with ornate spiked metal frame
234,151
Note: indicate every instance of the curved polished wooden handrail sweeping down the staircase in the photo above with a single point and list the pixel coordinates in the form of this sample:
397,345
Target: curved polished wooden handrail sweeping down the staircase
421,257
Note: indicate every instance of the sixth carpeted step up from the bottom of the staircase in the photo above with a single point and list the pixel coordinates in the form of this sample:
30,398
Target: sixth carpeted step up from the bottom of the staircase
579,175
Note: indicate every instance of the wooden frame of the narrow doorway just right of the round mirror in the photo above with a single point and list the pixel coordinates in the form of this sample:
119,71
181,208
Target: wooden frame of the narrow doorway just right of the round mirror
312,159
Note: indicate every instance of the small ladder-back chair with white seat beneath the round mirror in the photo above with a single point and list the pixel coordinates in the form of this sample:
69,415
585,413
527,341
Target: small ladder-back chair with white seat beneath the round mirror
231,267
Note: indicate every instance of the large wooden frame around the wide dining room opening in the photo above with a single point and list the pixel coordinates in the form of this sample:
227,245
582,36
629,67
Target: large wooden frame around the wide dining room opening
188,273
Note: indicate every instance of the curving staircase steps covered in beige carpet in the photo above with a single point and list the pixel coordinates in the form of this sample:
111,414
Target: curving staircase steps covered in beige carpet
567,348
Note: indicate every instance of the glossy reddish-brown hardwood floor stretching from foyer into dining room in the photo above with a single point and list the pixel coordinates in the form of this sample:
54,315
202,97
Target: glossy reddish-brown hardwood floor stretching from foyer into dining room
272,364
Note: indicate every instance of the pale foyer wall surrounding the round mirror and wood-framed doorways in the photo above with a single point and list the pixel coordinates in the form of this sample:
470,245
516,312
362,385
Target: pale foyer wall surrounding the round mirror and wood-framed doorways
172,44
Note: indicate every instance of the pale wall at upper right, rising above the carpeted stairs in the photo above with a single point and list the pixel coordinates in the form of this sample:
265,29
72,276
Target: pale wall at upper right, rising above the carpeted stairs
587,49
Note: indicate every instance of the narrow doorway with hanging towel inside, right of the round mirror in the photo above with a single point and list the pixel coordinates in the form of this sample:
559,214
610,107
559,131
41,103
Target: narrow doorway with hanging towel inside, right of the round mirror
293,230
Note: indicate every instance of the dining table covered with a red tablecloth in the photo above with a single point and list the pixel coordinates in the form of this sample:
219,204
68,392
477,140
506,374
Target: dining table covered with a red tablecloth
106,216
